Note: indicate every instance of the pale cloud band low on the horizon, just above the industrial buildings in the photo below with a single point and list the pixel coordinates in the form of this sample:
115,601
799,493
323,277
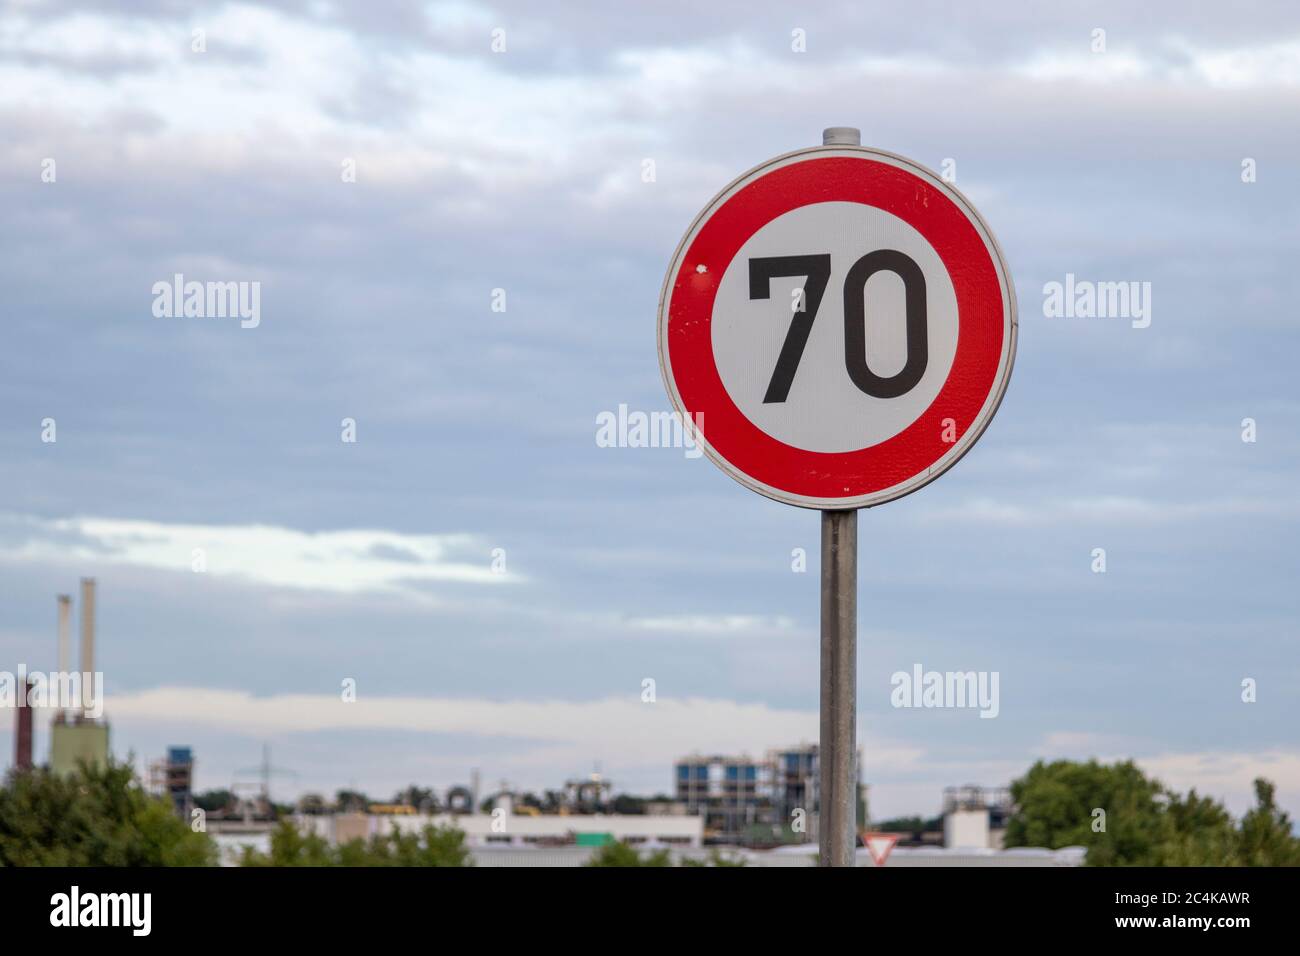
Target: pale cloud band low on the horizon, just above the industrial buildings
642,741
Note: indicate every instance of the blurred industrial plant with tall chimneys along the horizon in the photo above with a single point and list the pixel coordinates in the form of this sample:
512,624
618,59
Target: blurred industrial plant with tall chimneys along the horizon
746,804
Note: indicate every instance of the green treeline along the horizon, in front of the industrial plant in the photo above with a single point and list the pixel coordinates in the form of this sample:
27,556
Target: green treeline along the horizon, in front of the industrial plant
103,817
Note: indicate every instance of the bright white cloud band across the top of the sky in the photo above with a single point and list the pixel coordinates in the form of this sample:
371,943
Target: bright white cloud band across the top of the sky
275,85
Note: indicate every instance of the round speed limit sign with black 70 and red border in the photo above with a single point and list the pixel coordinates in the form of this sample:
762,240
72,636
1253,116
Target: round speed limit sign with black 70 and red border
839,326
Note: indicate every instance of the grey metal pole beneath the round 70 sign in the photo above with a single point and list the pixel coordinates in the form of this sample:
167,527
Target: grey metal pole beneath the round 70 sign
838,754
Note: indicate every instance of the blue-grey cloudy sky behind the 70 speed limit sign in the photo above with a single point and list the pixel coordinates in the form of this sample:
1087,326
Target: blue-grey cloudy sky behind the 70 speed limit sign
522,171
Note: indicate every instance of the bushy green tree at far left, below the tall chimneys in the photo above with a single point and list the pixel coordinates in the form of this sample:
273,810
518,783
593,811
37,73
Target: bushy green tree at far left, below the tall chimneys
94,817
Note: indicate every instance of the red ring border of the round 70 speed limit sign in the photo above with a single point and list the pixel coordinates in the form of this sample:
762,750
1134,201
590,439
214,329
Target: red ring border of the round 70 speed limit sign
983,326
